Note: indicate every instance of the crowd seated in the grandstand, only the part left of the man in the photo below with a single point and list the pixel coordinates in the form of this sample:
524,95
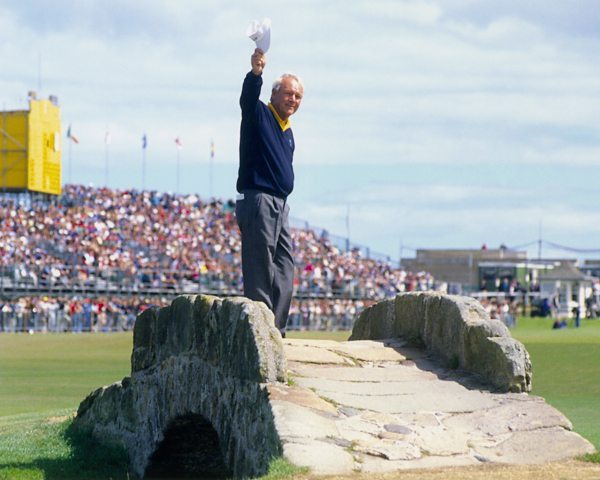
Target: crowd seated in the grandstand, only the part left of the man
130,237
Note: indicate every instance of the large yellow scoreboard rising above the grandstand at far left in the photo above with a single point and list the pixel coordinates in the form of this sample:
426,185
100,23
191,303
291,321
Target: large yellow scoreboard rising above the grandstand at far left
30,153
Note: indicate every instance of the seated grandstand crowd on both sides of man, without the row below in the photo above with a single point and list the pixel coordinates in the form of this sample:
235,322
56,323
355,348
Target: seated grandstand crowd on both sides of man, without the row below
151,238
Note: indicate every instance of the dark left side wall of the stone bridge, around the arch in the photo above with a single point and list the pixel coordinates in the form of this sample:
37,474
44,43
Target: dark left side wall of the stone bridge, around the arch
201,356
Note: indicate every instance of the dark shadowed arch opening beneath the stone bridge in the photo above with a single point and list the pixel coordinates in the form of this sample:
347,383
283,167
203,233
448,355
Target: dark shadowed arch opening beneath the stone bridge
190,449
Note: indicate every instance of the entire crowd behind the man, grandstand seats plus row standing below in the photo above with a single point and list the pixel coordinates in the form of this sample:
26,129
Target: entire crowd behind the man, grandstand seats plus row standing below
133,241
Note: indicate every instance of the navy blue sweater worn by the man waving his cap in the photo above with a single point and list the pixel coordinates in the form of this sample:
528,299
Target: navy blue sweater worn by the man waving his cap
266,151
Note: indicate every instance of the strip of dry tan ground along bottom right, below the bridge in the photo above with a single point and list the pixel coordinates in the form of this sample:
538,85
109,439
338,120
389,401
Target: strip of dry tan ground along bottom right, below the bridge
570,470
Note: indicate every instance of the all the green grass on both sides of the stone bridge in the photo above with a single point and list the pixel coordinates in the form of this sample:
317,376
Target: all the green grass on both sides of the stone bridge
43,378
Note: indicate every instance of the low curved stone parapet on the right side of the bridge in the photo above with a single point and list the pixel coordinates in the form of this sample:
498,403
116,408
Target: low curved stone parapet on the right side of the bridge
455,328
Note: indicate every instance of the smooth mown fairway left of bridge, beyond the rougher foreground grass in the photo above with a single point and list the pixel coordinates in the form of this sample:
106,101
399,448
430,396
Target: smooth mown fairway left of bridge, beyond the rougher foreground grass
46,372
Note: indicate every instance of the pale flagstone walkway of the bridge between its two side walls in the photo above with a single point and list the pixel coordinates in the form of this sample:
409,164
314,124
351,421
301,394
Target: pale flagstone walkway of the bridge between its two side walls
381,406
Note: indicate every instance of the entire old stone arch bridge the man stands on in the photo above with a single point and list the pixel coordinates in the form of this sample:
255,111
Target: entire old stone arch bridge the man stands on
427,380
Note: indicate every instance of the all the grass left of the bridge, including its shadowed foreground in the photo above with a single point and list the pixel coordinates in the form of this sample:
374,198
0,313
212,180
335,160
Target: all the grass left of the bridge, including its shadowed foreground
42,380
